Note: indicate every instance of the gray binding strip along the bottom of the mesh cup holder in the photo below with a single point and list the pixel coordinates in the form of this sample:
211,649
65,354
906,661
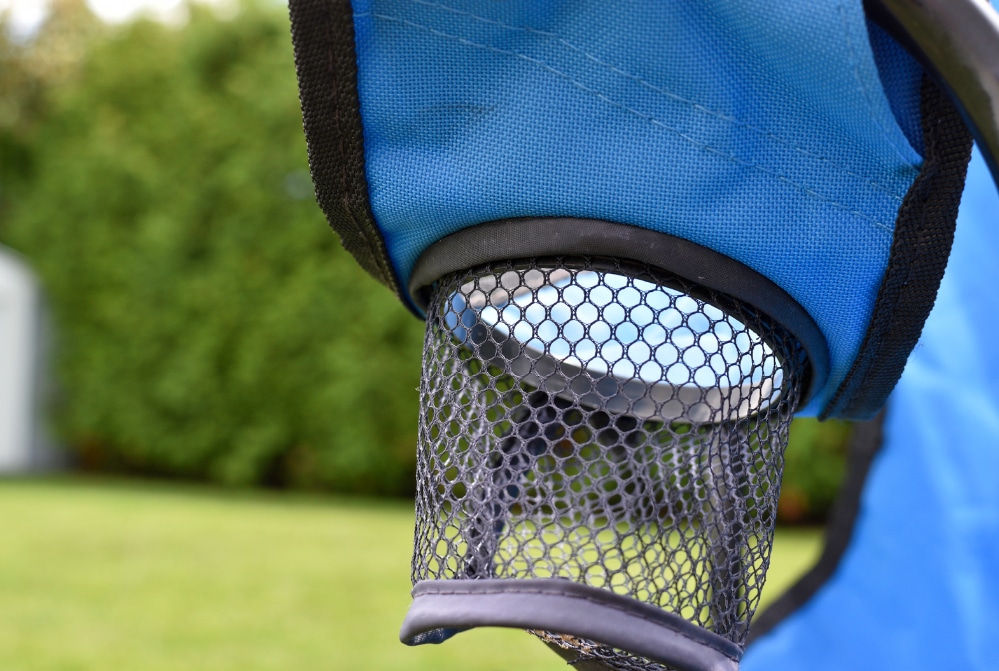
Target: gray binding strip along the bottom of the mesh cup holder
567,607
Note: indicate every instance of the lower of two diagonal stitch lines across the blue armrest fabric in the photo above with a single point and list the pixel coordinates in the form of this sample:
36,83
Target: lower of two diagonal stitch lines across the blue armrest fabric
650,119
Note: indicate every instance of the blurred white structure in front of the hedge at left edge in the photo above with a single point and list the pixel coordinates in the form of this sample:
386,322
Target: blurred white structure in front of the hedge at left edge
21,444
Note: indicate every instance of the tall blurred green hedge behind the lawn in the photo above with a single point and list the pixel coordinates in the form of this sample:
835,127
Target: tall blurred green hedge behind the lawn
209,325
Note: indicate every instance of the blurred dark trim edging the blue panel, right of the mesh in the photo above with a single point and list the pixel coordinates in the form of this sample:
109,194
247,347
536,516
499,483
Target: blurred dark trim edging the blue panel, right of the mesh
864,447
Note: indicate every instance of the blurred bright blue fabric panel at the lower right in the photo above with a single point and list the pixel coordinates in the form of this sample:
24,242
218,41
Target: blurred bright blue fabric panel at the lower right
919,587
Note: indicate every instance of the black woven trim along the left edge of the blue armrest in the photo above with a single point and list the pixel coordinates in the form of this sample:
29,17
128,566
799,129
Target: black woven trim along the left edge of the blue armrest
323,34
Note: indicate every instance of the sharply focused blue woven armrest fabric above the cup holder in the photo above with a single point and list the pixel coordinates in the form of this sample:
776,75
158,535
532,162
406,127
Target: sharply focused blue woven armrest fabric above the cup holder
759,130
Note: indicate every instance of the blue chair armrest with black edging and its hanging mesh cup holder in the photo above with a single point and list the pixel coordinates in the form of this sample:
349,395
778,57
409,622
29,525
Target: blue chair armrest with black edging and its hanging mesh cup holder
643,236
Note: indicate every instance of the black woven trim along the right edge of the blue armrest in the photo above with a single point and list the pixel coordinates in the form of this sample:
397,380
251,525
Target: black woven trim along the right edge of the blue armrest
924,232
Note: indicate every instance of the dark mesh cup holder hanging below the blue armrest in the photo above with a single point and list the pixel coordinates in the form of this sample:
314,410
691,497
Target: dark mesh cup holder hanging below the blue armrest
600,453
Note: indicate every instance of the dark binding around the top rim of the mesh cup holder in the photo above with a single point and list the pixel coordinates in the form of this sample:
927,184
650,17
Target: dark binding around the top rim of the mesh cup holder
511,239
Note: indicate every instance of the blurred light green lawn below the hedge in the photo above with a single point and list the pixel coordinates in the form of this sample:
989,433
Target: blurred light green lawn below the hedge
107,575
